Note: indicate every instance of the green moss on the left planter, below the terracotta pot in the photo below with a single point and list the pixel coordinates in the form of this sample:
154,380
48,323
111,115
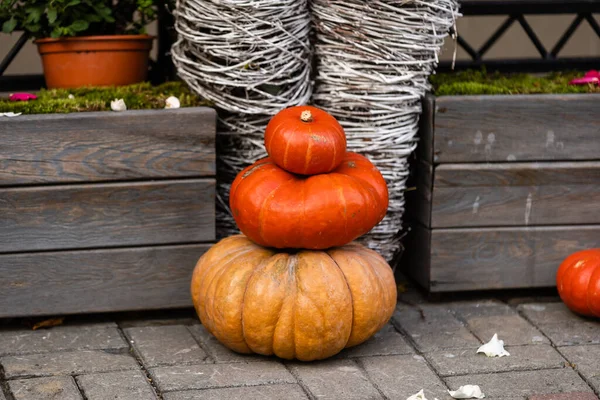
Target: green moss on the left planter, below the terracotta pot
136,97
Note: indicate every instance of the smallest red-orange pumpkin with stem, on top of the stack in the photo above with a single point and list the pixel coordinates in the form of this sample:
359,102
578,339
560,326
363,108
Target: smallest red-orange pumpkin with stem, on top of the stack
305,140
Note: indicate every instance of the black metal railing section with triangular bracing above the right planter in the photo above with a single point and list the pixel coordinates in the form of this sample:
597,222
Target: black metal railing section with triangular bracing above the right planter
516,11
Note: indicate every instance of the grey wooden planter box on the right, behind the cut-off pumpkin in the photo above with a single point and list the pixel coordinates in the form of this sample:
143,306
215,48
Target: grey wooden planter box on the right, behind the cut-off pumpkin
505,187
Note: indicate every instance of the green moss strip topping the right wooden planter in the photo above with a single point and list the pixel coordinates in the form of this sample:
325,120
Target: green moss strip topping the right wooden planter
480,82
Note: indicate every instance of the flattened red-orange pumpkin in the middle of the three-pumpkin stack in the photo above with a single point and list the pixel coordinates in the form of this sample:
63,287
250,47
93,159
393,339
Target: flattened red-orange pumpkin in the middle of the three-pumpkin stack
275,208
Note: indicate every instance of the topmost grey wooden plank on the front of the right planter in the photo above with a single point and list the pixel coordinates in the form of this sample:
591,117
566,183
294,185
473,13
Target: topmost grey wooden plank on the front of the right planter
517,128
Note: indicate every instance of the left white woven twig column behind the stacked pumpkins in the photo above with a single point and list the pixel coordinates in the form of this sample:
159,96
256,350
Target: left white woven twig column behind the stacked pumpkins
252,59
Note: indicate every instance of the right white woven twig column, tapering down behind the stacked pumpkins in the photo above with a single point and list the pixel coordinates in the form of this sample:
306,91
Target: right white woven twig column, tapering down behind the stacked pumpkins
373,60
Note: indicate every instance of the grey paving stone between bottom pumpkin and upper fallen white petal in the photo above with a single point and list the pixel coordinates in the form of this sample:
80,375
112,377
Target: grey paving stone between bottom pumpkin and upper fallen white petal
433,329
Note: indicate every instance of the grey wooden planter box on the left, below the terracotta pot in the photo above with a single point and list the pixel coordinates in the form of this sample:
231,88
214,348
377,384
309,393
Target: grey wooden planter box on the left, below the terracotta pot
104,211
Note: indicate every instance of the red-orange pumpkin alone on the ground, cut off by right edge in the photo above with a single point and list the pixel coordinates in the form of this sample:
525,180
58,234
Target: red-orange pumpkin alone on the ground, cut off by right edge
578,282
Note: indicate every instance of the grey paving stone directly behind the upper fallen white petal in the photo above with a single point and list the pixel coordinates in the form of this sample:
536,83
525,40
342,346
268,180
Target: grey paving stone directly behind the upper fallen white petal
486,318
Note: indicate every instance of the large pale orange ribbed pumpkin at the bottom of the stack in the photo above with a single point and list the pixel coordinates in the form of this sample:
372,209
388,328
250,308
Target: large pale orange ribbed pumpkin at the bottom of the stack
307,305
